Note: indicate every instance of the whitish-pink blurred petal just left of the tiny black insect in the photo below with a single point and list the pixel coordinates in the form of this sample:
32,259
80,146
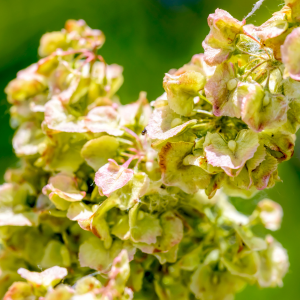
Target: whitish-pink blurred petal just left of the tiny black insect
103,119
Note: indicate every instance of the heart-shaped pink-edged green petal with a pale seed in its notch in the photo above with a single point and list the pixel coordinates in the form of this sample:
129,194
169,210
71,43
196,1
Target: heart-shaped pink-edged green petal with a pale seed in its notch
218,153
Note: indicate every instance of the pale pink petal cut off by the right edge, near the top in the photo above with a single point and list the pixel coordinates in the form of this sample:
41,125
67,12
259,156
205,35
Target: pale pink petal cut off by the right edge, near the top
291,54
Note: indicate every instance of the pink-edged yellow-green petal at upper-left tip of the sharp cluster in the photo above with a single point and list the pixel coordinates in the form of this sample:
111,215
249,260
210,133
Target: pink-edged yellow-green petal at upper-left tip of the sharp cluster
220,41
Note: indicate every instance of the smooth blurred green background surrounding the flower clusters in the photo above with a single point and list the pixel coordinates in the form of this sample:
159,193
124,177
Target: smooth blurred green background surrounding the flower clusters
146,37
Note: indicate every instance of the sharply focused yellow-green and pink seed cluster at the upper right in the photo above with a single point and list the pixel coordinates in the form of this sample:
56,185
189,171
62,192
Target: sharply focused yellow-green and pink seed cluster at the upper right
228,118
